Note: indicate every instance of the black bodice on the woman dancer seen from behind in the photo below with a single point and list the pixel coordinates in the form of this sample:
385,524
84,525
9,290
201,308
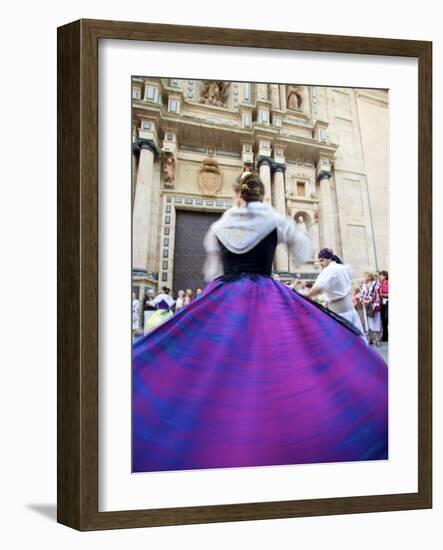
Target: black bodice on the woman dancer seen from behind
258,260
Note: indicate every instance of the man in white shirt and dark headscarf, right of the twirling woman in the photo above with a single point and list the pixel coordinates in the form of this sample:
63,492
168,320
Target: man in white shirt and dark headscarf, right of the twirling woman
334,282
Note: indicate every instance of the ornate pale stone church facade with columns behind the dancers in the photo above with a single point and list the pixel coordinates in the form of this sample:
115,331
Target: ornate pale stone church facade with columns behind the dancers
321,152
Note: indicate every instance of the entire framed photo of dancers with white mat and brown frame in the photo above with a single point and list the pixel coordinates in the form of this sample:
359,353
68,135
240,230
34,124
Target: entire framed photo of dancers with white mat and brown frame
244,274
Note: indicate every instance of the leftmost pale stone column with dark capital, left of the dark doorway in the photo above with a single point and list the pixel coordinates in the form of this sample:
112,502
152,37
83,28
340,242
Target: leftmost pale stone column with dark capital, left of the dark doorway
141,217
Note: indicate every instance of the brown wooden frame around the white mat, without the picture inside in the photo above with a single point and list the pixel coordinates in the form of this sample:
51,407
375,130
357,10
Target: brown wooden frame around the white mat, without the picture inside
78,274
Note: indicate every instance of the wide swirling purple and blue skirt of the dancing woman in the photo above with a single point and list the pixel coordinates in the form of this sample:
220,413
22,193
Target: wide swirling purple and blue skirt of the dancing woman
252,374
